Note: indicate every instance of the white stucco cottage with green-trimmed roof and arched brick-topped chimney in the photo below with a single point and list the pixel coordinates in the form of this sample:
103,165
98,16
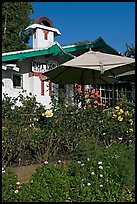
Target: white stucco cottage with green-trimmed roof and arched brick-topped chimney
22,70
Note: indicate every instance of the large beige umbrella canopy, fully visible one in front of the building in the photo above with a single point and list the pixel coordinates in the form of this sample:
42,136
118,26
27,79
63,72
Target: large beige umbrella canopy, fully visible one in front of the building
91,68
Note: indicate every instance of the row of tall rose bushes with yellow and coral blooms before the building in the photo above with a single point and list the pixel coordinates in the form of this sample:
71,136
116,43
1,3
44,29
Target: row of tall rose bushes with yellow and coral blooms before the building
32,133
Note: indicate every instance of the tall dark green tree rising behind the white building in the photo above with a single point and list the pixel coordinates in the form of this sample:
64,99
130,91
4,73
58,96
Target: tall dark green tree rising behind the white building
15,18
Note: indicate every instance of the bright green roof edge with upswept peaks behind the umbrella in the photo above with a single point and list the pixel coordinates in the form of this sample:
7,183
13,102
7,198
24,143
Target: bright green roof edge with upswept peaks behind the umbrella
67,52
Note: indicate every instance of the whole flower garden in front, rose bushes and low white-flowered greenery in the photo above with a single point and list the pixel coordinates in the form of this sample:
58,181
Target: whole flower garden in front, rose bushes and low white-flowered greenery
86,153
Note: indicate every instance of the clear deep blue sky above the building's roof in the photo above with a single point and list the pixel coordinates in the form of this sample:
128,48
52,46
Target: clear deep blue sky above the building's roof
79,21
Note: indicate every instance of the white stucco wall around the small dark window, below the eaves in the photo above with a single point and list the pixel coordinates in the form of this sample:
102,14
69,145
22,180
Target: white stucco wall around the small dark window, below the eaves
30,84
